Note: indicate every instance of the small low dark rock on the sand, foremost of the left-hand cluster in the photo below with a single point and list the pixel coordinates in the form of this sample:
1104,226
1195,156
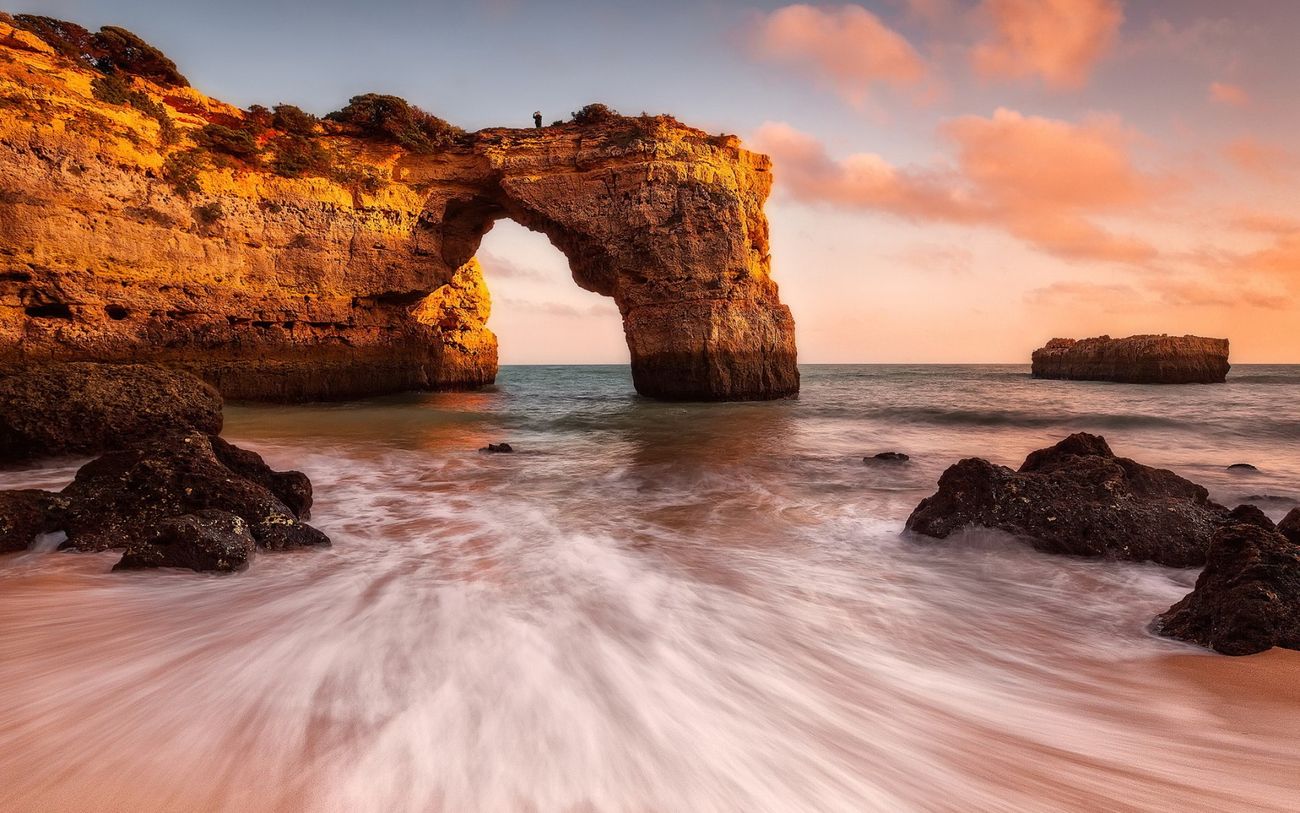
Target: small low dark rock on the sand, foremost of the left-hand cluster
207,540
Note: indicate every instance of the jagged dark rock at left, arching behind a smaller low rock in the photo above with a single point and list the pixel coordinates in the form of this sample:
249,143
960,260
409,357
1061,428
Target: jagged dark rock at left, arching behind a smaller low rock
122,498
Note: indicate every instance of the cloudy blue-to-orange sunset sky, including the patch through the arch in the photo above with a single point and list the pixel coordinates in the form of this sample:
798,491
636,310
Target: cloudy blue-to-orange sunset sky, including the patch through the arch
956,180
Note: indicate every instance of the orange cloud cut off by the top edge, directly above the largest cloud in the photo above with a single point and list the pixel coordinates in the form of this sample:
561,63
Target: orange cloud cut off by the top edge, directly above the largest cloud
1058,41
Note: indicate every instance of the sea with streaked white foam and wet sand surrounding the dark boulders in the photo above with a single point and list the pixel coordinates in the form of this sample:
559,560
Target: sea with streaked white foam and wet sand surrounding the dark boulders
661,608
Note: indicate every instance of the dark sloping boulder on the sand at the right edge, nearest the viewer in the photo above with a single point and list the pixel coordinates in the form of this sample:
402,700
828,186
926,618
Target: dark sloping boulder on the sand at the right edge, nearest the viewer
1246,600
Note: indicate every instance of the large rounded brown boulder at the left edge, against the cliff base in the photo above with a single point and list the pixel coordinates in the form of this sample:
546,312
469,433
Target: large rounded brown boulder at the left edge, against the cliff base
85,409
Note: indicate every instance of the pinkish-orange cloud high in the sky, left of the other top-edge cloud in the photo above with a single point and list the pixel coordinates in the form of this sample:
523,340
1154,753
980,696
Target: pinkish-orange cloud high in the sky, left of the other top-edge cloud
847,46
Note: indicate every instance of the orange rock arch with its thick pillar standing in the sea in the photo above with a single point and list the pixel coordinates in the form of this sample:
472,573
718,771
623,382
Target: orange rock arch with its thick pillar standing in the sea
666,220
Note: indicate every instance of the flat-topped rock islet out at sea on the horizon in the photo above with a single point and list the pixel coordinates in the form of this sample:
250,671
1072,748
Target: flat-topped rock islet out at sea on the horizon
1137,360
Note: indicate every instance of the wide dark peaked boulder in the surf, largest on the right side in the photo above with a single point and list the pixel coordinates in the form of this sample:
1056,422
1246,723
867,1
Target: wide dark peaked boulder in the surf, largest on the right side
1078,499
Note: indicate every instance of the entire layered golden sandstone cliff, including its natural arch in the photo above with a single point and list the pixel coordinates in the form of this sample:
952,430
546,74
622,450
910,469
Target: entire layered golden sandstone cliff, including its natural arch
284,258
